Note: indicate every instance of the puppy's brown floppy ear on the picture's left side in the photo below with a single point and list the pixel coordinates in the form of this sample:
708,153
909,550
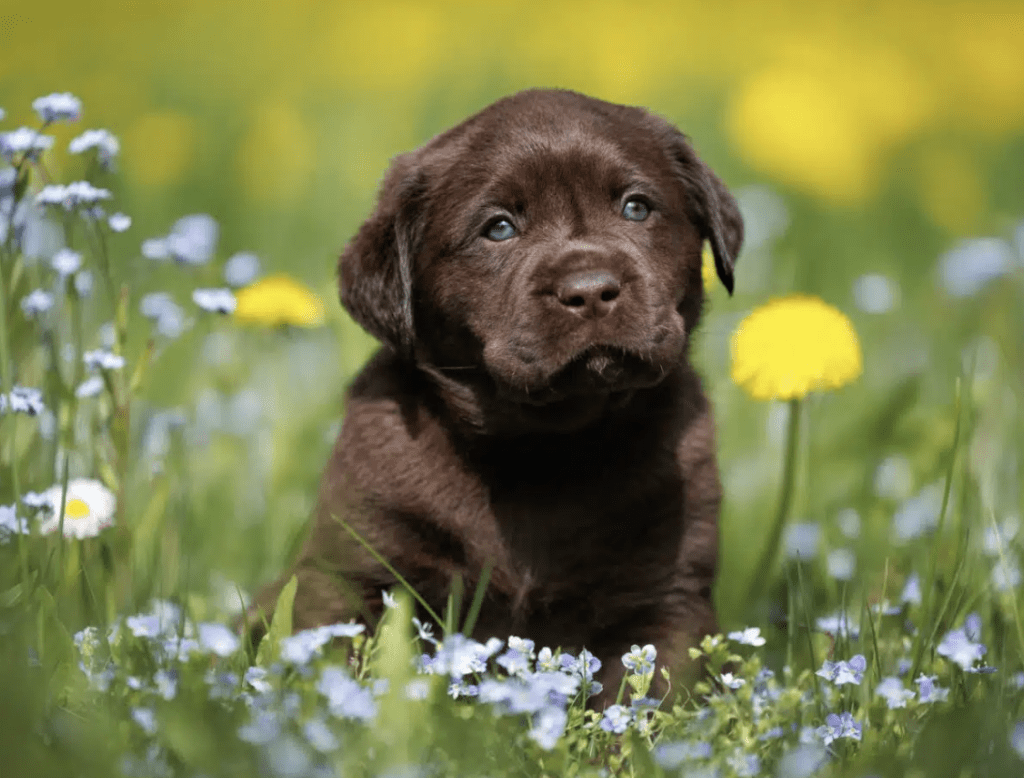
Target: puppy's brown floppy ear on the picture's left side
376,269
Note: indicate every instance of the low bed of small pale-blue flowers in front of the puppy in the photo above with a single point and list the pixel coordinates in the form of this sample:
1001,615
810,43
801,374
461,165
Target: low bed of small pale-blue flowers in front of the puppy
305,699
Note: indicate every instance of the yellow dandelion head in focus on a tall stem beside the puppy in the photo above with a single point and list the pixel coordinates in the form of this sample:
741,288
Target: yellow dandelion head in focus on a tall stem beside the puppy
795,345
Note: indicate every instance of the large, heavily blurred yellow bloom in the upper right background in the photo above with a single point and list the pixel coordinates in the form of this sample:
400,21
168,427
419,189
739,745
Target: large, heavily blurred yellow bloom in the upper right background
824,117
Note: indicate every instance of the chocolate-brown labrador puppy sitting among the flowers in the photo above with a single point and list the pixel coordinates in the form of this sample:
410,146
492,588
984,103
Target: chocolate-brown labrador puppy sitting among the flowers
534,276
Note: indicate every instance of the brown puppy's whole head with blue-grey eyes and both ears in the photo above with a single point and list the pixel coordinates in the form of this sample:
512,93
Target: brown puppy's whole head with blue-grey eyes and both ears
542,260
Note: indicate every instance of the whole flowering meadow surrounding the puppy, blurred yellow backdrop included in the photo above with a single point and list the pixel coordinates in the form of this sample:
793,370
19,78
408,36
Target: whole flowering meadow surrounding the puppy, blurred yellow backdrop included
174,361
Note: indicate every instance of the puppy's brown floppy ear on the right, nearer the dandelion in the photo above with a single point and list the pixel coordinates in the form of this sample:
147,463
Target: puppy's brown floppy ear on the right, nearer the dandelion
715,209
